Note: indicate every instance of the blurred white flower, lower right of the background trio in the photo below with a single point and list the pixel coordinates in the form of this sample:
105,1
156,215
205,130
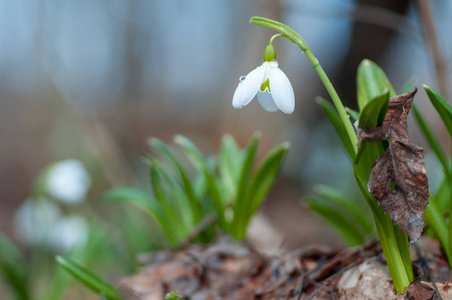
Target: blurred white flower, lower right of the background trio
68,233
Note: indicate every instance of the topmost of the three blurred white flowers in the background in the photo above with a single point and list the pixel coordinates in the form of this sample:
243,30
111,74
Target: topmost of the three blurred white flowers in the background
68,181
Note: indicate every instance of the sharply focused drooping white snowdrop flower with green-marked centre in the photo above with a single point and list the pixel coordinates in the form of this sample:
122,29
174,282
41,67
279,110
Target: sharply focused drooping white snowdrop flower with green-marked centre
271,85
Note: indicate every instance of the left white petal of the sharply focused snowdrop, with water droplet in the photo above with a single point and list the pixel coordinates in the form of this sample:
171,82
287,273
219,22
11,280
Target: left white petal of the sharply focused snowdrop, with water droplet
247,89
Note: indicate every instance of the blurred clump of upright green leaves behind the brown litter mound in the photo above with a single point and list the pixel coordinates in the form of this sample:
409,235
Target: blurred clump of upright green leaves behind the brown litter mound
186,191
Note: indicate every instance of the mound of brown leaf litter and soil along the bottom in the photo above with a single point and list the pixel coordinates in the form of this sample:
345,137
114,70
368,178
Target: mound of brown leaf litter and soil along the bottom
231,270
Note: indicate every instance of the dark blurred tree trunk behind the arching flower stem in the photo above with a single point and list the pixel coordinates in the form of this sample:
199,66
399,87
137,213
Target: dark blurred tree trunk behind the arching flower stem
368,41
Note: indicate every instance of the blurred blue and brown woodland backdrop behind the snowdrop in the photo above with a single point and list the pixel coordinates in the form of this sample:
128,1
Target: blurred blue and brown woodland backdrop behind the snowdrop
90,81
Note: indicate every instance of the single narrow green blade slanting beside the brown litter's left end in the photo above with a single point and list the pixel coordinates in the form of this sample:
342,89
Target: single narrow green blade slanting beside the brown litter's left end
89,279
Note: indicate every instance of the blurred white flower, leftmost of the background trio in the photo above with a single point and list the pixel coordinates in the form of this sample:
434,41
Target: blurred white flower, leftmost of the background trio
35,220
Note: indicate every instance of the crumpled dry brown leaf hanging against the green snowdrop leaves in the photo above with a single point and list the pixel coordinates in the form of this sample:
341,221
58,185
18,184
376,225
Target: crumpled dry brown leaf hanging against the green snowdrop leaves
398,180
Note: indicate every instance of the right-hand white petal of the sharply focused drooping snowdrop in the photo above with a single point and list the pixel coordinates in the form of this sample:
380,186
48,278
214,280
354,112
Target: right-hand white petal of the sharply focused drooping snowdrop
282,91
